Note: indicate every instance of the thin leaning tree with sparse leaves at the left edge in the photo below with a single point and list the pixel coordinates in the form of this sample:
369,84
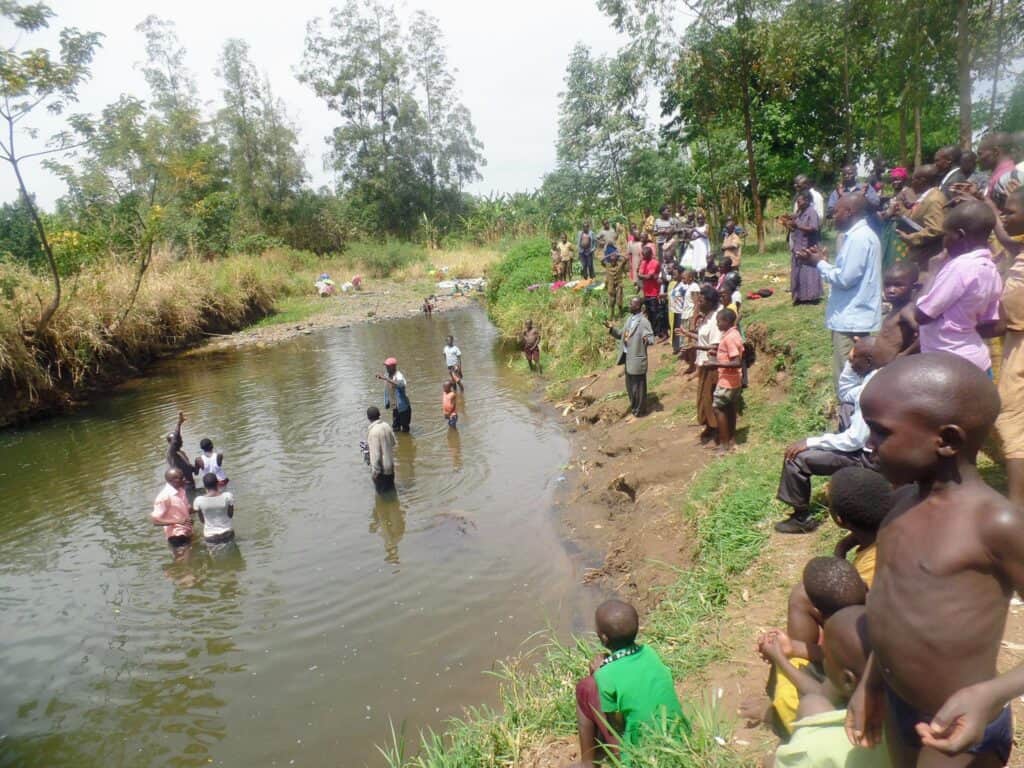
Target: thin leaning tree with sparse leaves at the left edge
31,79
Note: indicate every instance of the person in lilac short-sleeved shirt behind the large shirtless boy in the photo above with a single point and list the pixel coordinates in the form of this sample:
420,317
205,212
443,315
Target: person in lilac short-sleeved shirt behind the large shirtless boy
962,305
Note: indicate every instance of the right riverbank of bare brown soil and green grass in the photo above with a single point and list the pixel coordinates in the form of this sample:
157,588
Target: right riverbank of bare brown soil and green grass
681,531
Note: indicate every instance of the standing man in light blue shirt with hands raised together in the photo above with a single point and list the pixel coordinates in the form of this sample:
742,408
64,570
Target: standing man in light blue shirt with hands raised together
855,307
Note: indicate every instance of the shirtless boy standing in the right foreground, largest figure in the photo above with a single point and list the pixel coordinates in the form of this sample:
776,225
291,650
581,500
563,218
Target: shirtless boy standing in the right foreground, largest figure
951,556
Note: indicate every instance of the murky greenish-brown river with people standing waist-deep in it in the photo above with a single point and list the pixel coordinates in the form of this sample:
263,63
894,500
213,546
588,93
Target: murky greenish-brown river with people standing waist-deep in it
335,612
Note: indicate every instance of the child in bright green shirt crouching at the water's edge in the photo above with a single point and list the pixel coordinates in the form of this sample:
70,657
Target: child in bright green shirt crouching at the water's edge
628,689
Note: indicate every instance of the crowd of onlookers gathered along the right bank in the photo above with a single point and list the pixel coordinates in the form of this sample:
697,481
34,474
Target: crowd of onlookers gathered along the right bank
888,657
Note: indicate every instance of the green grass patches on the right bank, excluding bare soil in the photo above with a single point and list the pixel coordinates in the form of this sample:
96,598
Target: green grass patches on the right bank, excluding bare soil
729,509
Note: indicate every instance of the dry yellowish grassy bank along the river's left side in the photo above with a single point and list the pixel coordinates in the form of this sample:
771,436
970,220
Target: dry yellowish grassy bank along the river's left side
100,336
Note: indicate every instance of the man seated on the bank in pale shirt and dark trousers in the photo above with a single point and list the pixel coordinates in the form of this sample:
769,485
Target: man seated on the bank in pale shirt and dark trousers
826,455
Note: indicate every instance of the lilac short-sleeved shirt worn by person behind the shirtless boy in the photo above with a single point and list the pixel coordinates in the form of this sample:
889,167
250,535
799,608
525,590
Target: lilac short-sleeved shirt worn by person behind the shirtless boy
965,294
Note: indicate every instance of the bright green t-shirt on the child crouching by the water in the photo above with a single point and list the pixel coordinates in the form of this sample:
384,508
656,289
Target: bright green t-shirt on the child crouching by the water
639,687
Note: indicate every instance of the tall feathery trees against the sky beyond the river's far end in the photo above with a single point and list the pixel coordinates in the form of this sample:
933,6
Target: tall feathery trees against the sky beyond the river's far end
405,146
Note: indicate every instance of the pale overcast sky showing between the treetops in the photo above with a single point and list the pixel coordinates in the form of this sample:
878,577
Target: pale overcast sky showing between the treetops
510,59
